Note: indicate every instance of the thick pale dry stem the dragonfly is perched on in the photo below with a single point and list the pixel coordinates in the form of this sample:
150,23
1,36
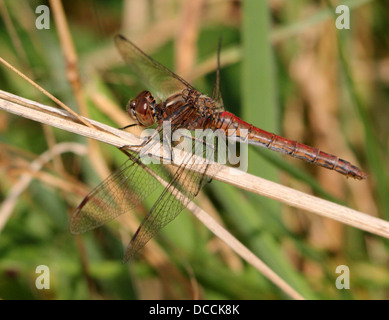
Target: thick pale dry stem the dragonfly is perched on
61,119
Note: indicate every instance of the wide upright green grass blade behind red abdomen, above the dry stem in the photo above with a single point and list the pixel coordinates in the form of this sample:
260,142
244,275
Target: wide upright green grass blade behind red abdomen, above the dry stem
258,78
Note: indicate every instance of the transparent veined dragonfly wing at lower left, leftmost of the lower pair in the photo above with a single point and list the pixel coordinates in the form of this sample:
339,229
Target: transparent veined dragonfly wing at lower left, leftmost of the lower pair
119,193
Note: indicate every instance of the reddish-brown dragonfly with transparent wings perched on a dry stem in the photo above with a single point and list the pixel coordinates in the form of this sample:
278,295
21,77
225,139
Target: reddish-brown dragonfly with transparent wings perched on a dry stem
182,106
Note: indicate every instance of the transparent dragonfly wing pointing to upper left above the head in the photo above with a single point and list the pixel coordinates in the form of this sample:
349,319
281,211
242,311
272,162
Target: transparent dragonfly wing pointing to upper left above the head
160,80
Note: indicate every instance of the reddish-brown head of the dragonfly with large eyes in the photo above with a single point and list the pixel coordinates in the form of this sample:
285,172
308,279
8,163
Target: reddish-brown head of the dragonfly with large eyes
142,109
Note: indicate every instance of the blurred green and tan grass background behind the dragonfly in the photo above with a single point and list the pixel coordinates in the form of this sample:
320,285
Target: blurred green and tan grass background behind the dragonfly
285,68
